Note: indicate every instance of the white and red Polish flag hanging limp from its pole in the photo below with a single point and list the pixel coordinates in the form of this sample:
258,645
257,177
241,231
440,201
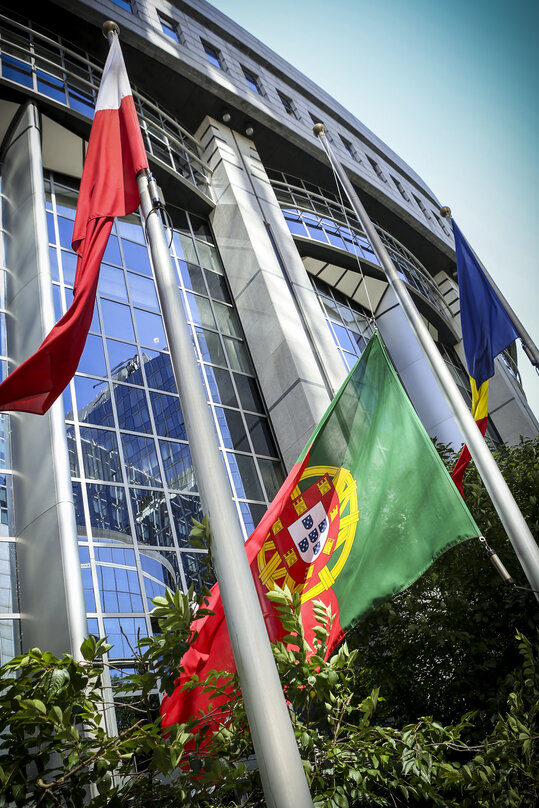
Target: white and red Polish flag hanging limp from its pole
108,188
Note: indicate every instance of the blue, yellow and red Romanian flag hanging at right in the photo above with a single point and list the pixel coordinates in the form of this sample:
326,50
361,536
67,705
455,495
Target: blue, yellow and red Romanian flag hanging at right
486,331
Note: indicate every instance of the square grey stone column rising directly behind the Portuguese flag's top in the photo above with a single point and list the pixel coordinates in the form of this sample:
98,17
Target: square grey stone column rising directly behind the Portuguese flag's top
295,359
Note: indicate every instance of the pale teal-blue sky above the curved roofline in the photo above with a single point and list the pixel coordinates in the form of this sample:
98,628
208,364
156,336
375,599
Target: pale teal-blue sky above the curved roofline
453,88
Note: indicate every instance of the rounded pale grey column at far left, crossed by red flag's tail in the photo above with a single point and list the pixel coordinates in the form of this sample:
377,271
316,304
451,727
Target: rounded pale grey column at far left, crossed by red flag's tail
53,616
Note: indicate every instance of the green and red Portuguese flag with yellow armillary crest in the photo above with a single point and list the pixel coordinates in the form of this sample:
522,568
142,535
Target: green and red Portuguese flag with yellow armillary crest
364,512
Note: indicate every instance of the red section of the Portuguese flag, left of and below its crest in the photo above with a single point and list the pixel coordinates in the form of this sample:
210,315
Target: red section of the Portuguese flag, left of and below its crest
211,650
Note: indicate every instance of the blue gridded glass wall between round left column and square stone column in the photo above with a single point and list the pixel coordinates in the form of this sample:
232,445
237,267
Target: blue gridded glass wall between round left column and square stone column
133,481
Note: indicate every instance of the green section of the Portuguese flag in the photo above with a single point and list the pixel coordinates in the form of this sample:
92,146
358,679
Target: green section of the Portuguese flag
409,510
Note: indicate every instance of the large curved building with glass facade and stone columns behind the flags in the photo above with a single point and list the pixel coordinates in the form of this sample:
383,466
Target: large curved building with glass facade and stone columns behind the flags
278,281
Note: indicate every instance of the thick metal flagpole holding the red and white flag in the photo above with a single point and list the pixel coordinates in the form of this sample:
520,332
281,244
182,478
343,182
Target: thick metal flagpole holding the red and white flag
278,758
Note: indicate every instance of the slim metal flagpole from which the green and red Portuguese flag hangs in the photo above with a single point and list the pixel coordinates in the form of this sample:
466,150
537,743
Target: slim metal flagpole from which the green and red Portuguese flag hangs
502,499
